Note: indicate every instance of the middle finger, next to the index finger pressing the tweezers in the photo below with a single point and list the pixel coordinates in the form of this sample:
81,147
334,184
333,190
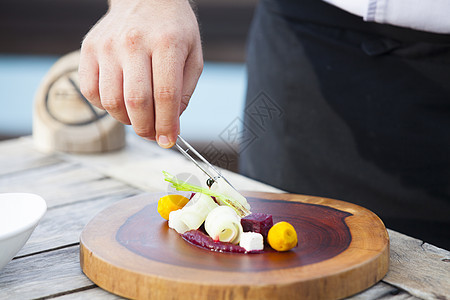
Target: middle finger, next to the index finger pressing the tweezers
138,94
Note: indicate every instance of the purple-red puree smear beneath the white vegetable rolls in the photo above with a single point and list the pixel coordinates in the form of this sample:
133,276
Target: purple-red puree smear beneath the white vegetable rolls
202,240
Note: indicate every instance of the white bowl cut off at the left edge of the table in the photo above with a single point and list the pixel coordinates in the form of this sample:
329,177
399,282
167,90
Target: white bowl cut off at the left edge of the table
19,215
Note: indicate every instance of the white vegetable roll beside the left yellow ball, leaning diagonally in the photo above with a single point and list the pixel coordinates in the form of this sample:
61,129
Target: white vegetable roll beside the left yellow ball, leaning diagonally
193,214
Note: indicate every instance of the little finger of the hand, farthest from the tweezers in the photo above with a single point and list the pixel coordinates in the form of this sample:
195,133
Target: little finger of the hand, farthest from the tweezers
88,76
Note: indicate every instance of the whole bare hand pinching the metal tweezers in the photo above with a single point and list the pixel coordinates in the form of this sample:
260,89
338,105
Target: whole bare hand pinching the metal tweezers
141,63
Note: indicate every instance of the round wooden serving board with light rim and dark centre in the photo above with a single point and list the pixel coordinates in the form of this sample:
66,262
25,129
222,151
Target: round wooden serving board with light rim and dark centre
343,248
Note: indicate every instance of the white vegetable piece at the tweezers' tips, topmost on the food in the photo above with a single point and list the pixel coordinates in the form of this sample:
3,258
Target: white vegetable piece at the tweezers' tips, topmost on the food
235,199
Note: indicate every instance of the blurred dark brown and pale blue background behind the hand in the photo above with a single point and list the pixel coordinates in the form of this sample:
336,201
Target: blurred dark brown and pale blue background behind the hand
34,34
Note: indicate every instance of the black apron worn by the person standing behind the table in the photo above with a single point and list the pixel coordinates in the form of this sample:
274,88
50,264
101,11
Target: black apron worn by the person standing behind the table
341,108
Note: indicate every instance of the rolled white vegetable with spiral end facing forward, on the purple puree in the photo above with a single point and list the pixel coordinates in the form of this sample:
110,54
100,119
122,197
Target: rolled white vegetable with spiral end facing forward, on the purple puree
223,224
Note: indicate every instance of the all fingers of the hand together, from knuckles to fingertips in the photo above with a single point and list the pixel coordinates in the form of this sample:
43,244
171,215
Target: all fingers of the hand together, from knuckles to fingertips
124,89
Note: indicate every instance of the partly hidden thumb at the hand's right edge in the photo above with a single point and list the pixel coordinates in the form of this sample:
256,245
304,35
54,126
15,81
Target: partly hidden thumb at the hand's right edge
192,71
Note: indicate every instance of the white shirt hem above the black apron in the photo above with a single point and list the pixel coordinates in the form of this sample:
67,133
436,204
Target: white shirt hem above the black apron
425,15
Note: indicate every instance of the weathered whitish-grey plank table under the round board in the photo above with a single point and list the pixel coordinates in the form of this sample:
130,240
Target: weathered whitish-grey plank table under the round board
77,187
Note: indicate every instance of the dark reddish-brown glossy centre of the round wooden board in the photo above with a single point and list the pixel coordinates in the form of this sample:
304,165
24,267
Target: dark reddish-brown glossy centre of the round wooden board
321,230
